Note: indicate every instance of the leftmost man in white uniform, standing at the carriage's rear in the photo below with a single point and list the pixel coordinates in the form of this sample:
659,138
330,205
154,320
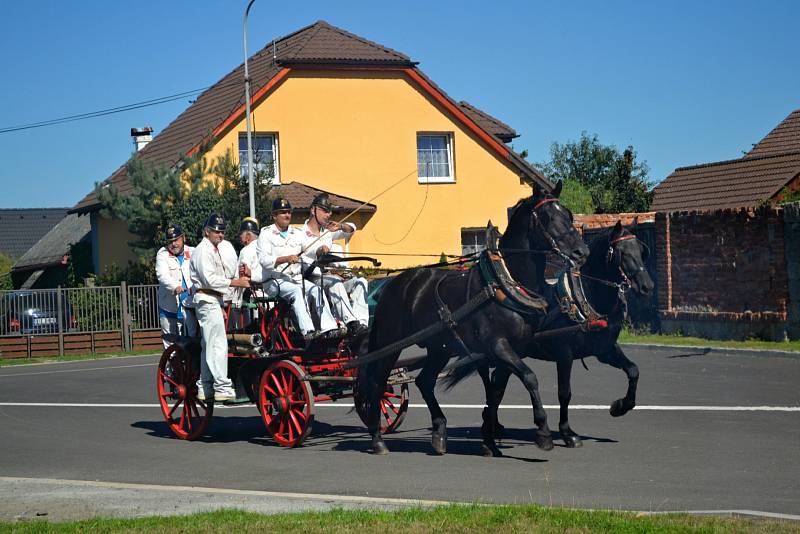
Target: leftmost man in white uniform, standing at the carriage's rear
175,314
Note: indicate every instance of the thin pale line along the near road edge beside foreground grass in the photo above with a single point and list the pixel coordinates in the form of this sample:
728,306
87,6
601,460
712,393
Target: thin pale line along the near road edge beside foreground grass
350,499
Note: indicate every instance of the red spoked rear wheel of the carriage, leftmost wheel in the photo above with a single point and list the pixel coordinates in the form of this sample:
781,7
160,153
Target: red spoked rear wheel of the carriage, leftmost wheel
186,415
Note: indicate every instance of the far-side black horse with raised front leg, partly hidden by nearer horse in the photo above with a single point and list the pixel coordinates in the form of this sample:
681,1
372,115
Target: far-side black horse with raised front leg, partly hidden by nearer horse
616,261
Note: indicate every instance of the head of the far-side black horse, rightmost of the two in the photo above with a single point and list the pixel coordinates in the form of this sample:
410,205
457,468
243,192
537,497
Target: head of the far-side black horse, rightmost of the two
626,257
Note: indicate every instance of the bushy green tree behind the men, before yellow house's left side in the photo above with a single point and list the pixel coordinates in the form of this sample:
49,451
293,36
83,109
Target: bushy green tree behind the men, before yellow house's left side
184,194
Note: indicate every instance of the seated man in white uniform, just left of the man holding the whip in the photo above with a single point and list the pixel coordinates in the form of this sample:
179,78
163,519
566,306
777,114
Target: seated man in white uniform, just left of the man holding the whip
278,248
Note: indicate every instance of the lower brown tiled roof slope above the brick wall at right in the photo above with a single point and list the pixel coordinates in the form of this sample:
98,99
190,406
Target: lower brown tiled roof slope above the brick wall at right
726,184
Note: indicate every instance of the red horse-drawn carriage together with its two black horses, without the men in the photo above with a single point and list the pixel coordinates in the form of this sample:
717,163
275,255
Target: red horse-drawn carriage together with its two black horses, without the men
490,315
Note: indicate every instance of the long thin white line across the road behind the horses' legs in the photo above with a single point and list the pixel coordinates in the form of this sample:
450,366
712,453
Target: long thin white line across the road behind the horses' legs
600,407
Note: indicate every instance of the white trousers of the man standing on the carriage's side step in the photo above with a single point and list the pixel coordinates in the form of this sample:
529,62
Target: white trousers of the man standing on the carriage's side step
214,357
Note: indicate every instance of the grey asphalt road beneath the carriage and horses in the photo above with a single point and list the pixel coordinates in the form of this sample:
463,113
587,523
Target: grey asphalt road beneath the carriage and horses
711,432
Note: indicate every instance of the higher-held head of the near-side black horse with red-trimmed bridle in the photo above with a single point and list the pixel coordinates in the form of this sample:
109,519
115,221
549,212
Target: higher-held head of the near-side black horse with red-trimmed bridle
551,227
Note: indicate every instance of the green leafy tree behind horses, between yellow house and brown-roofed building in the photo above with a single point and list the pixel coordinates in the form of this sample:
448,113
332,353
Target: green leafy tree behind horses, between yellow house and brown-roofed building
615,181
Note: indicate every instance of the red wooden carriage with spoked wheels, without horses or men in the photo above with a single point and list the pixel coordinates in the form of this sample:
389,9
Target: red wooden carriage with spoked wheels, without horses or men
270,366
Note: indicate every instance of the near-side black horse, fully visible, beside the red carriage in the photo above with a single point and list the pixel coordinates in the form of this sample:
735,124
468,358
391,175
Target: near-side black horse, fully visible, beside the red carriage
421,297
